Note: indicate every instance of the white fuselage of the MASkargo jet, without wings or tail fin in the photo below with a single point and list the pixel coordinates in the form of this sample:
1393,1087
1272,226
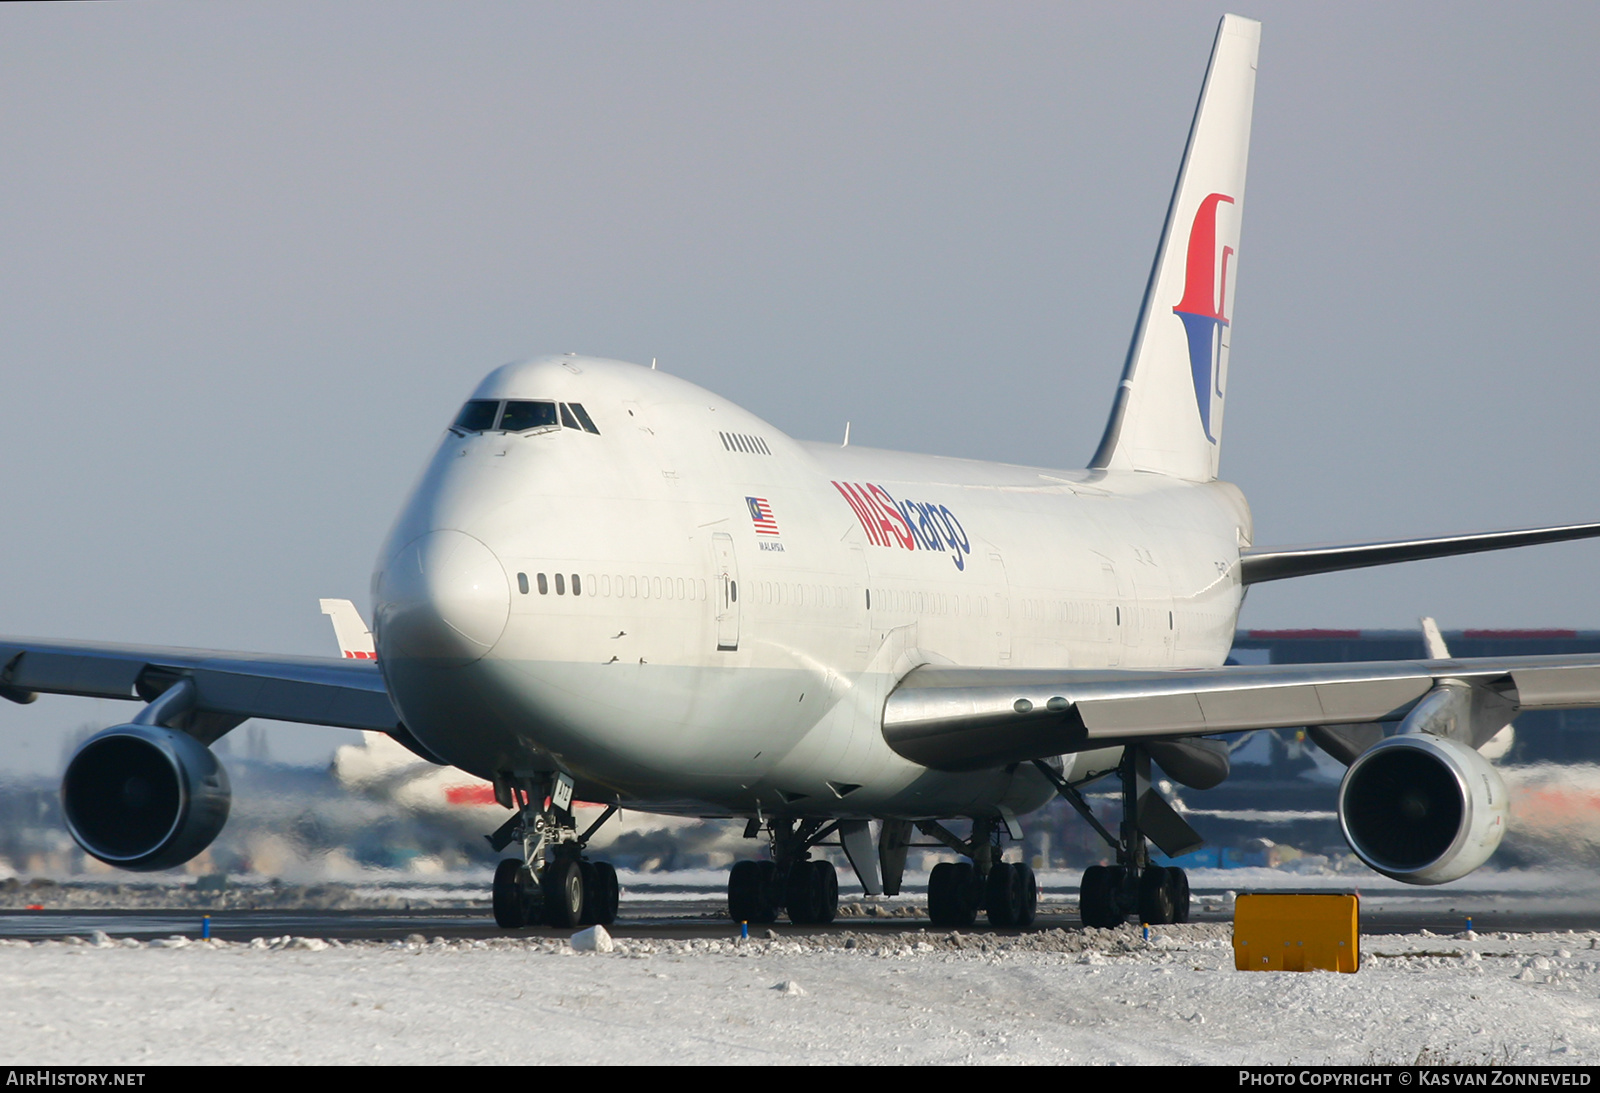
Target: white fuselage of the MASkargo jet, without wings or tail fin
665,596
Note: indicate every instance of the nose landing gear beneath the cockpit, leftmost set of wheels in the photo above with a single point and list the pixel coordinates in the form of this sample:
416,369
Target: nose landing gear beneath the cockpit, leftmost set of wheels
553,884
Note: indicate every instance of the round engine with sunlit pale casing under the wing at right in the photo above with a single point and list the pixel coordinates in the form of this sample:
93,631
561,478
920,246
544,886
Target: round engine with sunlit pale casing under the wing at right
1423,809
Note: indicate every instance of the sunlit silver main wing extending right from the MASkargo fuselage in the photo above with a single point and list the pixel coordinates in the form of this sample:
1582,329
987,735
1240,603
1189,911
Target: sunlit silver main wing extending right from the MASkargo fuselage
977,718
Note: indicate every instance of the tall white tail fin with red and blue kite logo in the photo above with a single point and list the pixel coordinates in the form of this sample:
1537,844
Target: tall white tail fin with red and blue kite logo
1169,410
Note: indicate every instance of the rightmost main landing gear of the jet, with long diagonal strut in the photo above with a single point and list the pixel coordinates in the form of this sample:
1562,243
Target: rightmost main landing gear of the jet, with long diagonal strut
1110,894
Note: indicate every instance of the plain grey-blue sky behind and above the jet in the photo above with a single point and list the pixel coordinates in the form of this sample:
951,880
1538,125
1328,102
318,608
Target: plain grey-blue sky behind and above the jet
257,254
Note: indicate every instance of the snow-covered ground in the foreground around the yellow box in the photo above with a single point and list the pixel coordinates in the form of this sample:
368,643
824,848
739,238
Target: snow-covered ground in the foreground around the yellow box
1057,996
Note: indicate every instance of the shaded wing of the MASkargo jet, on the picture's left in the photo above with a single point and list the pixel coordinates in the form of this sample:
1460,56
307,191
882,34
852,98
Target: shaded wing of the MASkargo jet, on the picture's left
228,687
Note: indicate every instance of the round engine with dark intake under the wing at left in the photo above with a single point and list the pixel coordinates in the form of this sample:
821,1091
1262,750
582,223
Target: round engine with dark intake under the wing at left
145,798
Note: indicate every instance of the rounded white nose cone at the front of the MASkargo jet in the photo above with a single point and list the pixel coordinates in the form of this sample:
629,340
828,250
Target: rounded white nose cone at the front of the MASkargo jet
444,599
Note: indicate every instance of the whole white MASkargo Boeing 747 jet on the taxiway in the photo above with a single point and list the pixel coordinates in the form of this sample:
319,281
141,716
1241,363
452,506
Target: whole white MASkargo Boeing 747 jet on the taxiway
615,587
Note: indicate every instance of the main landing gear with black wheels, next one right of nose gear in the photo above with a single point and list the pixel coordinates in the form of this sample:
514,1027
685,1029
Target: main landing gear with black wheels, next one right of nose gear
793,881
